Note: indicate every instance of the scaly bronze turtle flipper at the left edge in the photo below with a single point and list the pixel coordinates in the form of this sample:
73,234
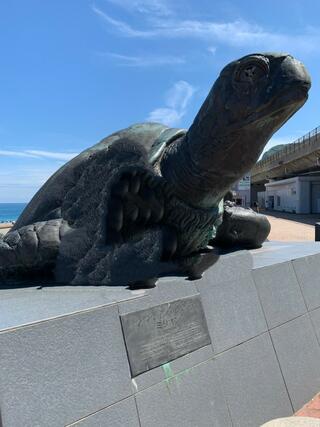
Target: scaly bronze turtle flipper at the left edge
31,250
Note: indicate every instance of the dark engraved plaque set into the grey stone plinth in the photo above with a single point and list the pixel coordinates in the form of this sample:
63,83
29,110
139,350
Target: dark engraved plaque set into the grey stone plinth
157,335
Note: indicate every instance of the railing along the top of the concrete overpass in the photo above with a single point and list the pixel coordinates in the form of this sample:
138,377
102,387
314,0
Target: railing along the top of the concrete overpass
305,141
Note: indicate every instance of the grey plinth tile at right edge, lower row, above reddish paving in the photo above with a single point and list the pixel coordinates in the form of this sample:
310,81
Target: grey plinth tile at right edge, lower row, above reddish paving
298,353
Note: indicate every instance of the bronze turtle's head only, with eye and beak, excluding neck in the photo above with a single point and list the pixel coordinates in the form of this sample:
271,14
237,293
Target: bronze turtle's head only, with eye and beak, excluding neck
259,92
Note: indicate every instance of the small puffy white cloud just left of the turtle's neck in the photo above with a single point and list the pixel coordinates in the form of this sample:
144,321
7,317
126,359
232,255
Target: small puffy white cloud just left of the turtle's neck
176,103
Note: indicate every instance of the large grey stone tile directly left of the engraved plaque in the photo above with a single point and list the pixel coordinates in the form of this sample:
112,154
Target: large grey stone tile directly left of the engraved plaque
62,370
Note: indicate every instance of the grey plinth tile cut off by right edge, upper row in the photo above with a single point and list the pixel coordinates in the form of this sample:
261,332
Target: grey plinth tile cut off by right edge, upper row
308,272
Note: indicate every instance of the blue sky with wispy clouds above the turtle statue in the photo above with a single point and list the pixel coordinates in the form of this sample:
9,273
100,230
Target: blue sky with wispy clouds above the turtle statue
74,71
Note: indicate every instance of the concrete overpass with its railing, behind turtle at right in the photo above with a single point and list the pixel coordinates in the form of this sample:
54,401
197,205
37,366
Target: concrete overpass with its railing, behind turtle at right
300,157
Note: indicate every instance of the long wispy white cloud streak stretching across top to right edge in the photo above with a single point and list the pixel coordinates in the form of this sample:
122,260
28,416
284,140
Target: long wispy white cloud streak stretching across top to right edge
238,33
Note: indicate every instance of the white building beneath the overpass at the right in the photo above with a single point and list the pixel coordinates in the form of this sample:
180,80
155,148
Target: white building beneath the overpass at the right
300,195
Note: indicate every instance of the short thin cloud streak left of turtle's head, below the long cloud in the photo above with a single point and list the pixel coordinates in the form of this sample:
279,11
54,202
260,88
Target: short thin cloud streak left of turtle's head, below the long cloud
144,61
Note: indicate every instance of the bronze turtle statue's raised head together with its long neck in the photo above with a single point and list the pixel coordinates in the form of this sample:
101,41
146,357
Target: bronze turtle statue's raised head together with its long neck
251,99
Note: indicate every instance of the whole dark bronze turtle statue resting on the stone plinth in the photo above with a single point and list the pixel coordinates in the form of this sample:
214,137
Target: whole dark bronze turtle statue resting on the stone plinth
150,198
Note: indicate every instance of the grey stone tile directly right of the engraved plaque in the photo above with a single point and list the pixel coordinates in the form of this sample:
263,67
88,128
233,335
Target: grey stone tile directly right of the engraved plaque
233,311
